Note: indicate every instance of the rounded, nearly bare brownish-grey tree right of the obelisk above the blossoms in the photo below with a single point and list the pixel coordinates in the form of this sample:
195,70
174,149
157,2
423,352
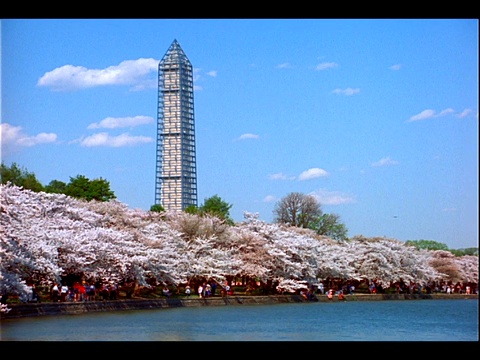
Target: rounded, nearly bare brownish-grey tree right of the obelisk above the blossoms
297,209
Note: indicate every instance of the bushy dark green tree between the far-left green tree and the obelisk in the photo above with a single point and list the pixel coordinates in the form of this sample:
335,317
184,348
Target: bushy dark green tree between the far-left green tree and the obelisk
81,187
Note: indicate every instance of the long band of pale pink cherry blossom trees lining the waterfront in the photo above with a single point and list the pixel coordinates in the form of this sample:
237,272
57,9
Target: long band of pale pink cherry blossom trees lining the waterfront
46,236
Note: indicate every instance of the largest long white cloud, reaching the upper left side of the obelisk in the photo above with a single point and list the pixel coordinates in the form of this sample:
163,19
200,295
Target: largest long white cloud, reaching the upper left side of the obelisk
137,73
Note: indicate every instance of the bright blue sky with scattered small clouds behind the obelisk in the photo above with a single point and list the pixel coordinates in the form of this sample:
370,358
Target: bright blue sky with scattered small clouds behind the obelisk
378,119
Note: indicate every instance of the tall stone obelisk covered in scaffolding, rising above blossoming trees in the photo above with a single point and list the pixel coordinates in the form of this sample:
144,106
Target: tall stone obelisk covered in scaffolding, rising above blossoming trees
176,169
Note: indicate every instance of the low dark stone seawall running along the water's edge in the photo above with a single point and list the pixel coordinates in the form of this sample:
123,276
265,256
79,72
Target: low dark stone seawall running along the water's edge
43,309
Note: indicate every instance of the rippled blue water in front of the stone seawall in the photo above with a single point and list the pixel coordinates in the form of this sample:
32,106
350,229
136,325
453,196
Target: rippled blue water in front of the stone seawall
389,320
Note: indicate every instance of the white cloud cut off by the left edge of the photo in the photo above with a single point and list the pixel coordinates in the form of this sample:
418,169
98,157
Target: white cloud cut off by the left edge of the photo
12,138
